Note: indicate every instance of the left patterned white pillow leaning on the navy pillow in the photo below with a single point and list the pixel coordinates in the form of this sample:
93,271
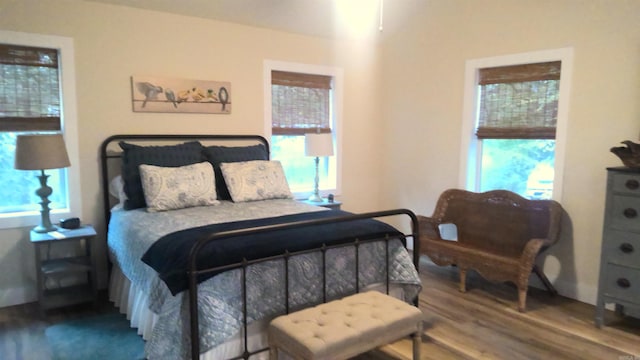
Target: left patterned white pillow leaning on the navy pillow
169,188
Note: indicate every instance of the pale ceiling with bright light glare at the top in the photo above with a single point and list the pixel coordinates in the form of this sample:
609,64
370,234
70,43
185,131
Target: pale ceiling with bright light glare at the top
348,19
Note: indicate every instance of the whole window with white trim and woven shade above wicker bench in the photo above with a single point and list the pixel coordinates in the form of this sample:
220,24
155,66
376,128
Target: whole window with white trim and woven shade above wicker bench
515,116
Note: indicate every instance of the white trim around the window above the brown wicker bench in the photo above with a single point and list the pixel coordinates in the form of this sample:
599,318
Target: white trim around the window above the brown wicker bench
470,150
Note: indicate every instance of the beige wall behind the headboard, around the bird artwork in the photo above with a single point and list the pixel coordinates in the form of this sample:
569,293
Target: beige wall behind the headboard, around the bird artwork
113,43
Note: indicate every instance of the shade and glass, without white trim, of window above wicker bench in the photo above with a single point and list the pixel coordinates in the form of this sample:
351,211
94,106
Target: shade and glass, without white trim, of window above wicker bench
516,127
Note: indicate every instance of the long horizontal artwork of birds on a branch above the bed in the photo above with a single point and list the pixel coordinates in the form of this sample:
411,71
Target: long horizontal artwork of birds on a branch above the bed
158,94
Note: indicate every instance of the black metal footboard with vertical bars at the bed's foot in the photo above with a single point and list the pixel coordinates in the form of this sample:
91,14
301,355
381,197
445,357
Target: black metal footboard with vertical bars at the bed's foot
194,272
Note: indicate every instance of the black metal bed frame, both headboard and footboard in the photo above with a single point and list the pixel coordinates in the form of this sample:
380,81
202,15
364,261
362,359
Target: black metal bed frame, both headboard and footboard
194,272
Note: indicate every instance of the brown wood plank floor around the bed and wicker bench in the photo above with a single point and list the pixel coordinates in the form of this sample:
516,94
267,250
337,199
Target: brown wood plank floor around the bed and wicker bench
483,323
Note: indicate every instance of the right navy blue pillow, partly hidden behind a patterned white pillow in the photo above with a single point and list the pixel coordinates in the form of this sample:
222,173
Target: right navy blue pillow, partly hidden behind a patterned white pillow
221,154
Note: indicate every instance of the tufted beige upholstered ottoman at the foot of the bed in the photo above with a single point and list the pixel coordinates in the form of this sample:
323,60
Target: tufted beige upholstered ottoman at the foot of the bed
347,327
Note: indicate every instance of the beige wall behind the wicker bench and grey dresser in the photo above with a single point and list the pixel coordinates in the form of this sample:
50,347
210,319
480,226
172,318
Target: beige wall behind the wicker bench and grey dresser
423,73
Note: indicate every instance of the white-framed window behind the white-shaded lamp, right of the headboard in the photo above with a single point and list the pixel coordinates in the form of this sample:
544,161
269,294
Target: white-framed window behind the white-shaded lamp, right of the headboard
302,100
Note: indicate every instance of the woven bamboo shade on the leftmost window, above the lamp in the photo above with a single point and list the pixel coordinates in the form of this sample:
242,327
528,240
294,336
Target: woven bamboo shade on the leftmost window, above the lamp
29,89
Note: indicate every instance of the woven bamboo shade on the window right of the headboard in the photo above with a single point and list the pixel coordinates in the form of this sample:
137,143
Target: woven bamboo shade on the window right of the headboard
300,103
